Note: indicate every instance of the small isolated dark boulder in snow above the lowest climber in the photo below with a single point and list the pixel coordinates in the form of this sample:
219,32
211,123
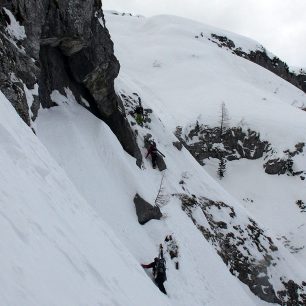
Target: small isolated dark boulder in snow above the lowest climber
145,211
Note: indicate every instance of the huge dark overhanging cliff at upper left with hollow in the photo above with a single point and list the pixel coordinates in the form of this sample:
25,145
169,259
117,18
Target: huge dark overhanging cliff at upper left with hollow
67,45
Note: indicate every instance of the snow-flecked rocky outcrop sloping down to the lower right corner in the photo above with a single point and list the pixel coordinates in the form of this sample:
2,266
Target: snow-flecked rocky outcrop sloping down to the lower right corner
244,247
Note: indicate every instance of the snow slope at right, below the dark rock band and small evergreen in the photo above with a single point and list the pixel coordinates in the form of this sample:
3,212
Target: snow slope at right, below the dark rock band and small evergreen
270,198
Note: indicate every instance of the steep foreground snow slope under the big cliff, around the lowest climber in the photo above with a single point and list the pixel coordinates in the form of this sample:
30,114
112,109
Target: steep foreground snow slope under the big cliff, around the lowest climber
57,248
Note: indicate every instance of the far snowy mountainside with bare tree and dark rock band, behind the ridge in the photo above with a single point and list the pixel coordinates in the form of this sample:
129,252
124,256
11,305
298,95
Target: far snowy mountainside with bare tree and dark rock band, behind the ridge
182,71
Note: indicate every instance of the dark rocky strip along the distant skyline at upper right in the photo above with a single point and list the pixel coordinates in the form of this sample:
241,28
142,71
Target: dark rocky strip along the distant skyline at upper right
261,58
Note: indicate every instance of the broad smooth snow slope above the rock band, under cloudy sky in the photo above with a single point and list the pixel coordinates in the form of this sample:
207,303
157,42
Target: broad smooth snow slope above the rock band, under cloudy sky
187,79
